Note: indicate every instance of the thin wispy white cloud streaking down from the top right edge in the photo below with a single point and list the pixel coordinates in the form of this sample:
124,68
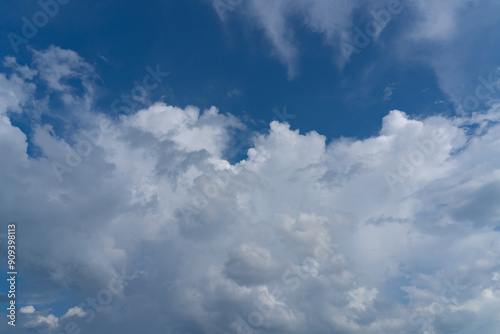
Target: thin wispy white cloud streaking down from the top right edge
453,38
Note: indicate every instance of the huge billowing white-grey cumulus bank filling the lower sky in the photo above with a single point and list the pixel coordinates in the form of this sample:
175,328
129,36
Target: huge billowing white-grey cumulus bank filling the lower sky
393,233
